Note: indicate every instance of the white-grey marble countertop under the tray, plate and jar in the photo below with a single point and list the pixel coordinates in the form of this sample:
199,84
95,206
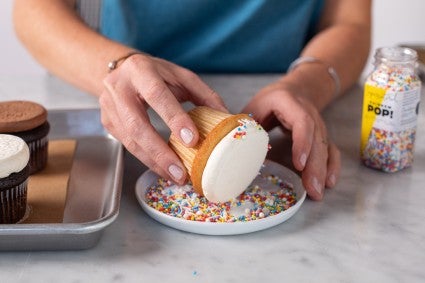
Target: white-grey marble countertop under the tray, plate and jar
367,229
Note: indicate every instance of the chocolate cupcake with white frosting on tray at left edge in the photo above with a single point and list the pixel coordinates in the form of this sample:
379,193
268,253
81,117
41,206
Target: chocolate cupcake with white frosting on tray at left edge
14,171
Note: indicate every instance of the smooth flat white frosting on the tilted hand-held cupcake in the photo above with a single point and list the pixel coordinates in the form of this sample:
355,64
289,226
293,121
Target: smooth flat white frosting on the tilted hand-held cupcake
235,162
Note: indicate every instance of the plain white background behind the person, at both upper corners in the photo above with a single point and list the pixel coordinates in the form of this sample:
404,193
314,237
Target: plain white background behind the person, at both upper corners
394,22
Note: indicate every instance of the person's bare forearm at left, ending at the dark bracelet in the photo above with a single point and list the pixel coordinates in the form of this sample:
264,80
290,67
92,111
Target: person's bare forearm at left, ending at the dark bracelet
57,38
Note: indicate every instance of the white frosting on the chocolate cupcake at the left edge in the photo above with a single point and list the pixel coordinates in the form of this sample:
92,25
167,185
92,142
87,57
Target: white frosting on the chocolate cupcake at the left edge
14,155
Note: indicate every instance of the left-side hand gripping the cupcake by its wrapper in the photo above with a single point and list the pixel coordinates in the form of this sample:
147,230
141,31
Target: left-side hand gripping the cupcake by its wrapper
142,81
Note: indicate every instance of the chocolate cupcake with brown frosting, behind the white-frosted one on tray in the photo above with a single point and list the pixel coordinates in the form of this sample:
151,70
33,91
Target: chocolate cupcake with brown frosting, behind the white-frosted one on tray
27,120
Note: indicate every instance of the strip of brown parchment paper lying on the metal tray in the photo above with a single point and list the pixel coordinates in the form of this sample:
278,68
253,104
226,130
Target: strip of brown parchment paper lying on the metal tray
47,188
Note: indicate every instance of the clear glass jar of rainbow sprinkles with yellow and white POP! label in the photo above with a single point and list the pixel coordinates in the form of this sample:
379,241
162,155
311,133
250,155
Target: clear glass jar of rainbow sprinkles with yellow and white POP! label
390,110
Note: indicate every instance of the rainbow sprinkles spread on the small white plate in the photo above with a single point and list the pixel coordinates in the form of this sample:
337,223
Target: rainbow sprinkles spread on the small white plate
255,203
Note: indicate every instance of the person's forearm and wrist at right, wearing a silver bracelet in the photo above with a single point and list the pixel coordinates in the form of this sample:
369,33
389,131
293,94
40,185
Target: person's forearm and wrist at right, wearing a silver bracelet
343,45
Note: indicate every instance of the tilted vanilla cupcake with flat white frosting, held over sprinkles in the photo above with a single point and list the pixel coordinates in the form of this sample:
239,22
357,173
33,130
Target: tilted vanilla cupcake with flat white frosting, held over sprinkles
228,156
